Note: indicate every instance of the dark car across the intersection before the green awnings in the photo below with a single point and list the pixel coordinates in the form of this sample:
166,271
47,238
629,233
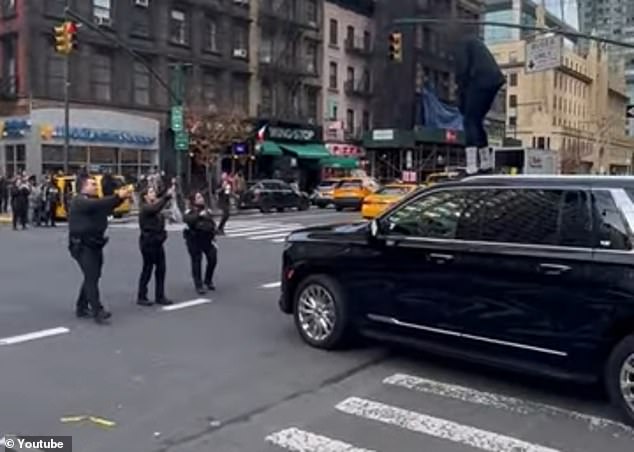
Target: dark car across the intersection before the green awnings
267,195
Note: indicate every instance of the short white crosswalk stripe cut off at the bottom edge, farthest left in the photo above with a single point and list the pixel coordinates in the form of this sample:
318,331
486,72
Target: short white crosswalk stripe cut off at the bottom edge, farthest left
297,440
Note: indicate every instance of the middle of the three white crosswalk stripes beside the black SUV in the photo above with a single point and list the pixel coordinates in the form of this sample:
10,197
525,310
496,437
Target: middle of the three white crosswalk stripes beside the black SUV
436,427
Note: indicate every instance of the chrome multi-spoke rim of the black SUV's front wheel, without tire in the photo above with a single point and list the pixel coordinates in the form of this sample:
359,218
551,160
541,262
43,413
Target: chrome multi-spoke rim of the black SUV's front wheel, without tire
316,312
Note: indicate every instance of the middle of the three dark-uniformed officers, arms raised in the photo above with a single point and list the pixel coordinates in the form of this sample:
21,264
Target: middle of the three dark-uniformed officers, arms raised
153,235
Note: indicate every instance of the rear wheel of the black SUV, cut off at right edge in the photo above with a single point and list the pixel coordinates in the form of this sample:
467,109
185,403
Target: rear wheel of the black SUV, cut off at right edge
619,377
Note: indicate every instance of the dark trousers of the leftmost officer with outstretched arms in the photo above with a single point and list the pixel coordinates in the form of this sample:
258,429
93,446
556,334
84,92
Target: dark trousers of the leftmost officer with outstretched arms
90,260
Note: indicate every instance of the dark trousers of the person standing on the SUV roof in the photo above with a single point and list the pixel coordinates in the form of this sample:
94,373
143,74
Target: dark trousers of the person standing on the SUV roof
477,104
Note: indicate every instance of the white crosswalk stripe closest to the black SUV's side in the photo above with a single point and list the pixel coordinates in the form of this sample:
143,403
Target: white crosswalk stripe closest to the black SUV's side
502,402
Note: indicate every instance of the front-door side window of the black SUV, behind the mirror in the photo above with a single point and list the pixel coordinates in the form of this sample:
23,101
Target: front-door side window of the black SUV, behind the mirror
434,216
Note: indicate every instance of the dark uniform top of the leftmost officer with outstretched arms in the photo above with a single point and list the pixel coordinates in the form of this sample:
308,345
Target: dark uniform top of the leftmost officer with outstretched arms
88,216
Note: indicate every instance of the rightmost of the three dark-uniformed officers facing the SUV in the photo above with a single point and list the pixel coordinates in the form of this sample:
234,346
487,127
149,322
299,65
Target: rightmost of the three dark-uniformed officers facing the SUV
199,237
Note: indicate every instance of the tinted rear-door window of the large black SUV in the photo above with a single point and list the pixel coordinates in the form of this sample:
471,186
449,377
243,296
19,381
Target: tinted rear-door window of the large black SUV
521,216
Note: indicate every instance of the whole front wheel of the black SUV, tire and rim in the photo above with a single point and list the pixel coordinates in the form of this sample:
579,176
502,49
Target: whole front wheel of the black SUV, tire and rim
320,310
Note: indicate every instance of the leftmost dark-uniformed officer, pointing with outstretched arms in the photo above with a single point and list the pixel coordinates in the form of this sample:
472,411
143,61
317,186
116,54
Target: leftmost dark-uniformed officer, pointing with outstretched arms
87,223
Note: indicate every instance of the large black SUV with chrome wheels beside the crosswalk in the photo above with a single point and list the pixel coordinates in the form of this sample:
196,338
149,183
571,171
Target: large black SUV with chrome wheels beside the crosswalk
532,273
